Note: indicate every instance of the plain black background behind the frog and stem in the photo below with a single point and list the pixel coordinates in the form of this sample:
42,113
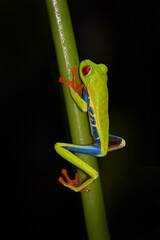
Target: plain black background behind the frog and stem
125,36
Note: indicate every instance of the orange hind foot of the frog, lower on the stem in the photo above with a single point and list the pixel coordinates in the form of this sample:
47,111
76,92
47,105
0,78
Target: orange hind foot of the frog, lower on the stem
74,183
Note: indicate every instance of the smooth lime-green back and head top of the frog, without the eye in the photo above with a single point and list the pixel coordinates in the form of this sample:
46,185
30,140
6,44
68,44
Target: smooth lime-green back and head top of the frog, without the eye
96,83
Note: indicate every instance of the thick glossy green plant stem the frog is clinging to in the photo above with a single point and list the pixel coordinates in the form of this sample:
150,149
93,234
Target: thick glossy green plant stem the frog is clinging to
67,58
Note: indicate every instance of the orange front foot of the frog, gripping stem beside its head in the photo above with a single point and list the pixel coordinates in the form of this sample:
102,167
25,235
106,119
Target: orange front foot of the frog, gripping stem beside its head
76,87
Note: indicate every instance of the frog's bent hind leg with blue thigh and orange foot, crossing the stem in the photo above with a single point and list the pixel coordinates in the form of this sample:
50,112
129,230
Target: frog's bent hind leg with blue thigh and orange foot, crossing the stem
65,151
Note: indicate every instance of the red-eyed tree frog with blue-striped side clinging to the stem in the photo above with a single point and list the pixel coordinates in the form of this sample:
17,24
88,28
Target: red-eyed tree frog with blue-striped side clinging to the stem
95,102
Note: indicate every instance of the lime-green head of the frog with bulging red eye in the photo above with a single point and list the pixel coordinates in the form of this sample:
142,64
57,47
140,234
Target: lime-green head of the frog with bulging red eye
90,71
